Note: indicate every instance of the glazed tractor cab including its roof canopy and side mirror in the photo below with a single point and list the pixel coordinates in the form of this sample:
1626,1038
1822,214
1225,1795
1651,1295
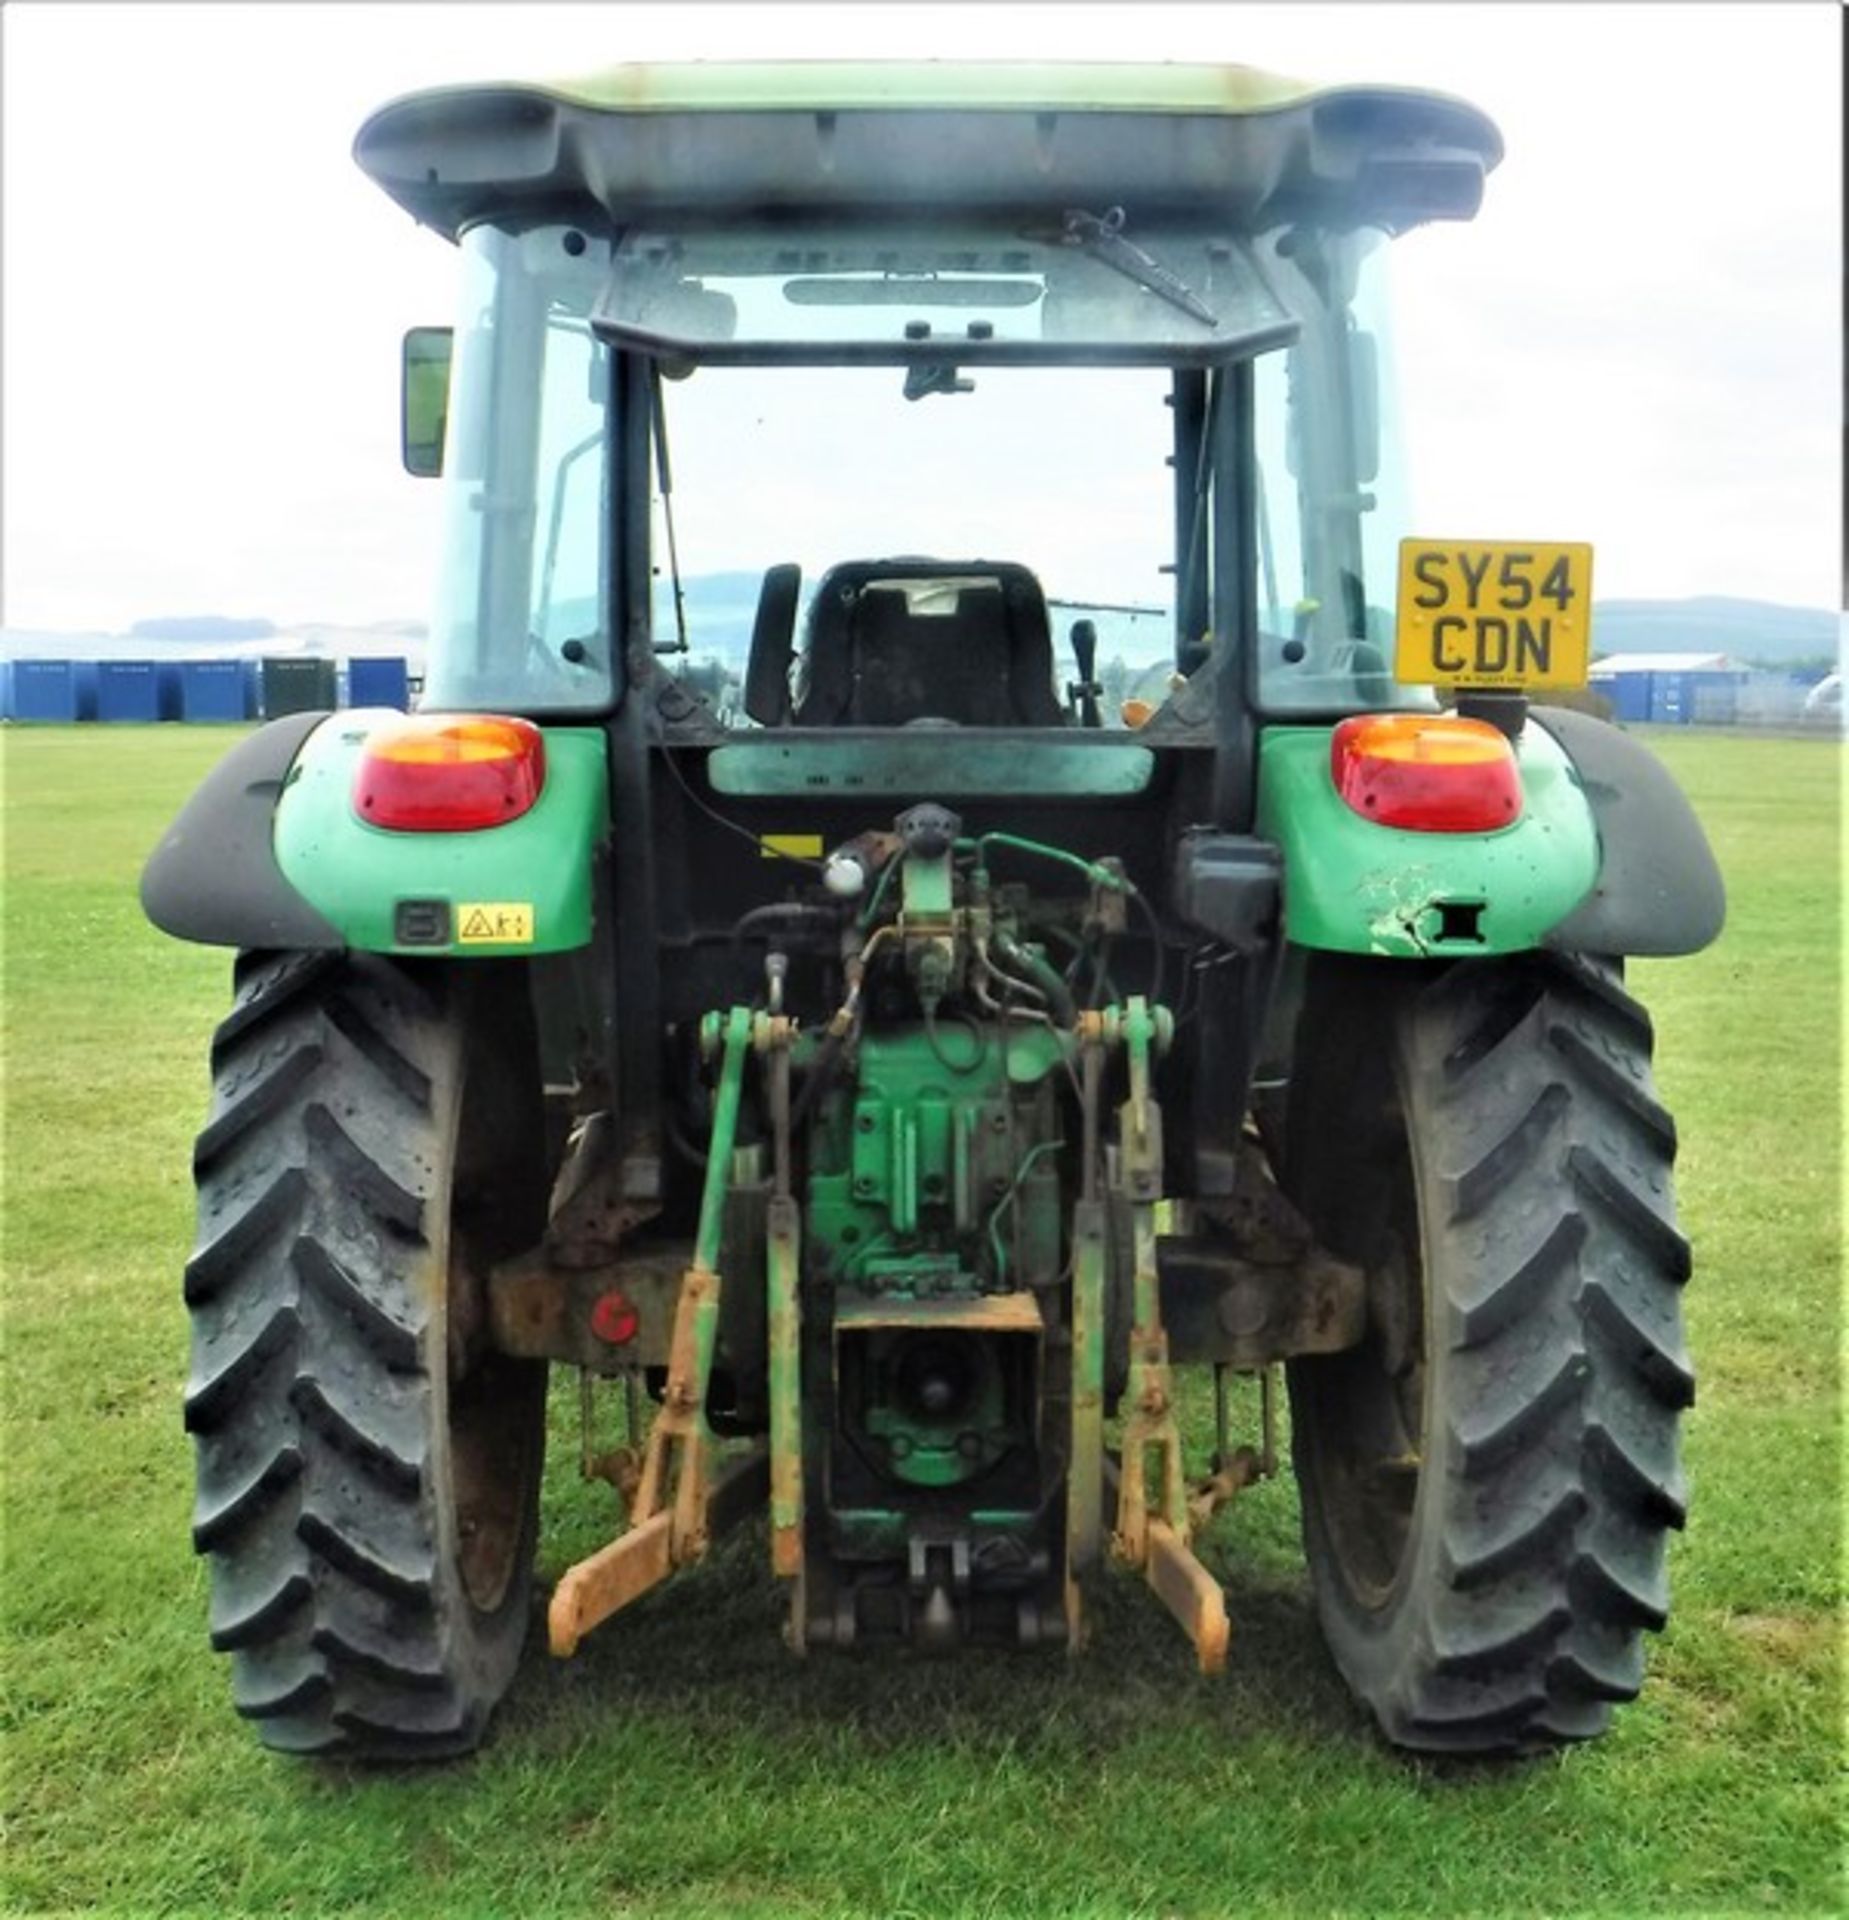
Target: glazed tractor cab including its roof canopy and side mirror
1126,329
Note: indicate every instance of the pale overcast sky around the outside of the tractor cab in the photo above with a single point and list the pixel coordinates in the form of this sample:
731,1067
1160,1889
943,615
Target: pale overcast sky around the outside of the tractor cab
1639,341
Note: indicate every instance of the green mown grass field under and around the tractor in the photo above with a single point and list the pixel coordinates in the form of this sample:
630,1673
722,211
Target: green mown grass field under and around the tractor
684,1764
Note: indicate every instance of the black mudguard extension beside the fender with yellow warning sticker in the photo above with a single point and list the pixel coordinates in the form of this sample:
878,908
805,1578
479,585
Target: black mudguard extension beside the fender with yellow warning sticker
214,876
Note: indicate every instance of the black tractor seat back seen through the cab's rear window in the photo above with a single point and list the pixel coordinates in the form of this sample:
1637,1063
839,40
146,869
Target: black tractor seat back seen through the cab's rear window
909,640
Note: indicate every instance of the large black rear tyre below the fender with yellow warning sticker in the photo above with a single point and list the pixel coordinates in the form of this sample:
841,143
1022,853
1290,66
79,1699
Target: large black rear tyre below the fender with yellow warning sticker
368,1468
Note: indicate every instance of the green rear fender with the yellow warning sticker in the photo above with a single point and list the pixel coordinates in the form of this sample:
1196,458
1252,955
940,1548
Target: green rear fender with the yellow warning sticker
523,888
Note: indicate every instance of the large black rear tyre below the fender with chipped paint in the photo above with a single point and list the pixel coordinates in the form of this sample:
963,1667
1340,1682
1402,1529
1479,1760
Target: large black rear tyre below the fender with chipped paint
1487,1481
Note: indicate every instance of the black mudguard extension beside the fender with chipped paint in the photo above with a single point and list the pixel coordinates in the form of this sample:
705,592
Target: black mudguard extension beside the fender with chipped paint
1658,890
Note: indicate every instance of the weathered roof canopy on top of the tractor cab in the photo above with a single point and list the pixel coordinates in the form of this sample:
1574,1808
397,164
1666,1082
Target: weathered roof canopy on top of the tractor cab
842,137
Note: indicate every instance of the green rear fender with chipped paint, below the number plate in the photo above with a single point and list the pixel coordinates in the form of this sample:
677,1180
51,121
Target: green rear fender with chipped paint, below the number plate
1353,886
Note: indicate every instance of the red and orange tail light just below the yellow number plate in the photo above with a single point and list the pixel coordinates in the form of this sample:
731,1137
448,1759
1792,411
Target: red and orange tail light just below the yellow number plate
1433,773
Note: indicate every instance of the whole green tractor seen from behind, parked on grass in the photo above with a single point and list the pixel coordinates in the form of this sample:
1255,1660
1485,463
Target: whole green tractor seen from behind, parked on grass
953,863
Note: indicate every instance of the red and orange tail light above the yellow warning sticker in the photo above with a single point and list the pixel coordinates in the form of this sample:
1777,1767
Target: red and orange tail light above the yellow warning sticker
450,773
